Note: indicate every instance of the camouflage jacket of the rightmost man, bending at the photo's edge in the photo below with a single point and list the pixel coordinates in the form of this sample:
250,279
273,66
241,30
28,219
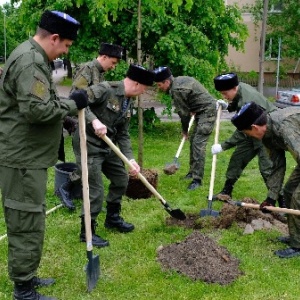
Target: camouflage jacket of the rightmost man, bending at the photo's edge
282,135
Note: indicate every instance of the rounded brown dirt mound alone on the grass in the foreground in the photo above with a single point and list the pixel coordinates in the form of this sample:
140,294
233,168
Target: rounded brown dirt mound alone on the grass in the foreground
200,257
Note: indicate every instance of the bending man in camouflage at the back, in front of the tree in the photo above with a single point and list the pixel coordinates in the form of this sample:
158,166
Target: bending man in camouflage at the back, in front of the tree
191,98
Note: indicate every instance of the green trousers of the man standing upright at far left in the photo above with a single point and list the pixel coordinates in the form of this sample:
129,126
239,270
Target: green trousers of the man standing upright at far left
23,198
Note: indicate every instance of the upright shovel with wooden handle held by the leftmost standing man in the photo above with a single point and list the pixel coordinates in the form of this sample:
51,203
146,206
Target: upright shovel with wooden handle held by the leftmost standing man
93,266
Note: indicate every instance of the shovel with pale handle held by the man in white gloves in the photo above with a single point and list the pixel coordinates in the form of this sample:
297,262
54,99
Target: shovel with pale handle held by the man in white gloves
209,211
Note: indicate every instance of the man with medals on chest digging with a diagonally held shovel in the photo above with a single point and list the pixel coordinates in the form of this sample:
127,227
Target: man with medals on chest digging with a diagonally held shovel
109,113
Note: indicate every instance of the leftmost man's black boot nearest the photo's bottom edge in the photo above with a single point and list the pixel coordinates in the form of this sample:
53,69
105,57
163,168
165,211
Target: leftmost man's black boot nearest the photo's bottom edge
25,291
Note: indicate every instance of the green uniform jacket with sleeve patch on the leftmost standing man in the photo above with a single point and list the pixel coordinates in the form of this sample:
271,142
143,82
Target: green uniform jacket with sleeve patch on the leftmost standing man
31,111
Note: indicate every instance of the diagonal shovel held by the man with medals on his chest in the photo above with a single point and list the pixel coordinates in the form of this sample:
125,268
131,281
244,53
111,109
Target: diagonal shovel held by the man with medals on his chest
175,213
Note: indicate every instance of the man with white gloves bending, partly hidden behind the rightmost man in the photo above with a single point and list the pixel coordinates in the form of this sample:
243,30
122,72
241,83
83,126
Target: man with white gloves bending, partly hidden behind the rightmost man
239,93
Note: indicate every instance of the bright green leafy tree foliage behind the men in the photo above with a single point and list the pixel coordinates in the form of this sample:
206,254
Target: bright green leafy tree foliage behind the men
191,36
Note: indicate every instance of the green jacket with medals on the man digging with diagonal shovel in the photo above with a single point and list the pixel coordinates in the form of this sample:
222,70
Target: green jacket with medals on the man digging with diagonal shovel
109,104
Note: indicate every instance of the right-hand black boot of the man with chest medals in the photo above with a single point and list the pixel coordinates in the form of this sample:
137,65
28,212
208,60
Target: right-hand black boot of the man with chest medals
113,219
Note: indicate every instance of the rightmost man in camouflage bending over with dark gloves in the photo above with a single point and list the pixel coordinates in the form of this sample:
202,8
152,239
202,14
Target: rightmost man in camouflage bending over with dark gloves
279,132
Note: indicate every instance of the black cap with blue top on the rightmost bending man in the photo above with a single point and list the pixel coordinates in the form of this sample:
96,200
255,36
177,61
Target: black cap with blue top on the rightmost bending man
247,116
